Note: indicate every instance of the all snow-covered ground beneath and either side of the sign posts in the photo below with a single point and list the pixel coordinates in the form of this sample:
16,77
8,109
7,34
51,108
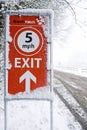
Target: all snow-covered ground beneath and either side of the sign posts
35,115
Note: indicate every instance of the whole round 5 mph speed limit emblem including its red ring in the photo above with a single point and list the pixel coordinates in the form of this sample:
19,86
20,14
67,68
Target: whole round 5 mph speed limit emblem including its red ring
28,41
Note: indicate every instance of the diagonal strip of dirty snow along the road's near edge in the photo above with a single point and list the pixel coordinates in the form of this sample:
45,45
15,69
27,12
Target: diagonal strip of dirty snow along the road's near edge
71,103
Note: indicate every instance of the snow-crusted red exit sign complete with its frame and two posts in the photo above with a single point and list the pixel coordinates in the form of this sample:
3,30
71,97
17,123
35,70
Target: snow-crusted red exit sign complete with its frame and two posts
28,57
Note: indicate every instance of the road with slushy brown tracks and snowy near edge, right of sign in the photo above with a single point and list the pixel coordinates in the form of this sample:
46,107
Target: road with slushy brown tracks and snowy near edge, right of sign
72,90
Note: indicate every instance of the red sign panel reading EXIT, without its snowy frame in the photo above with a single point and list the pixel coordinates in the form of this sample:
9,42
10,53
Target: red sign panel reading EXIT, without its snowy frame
27,54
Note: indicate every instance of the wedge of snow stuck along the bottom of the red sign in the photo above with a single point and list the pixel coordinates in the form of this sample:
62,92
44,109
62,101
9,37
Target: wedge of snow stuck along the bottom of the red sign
39,93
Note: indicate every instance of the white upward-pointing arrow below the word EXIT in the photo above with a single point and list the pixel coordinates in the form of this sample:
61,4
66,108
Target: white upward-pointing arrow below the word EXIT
27,76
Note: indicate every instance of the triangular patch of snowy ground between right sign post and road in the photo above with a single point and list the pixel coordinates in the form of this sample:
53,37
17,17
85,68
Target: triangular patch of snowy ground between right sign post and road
63,118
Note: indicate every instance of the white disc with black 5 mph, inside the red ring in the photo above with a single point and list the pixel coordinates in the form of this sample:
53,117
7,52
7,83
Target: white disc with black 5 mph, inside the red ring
28,41
